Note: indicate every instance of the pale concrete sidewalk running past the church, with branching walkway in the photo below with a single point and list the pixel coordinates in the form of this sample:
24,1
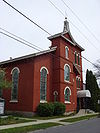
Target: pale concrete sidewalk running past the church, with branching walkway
57,120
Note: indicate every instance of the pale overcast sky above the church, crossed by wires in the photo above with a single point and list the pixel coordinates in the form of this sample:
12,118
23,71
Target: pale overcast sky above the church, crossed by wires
44,14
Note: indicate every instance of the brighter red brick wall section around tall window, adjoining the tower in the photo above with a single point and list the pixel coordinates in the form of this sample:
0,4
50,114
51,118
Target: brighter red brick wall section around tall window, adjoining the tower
42,61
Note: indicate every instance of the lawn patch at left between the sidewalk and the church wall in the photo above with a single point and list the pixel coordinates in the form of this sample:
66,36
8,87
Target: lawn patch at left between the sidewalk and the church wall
13,120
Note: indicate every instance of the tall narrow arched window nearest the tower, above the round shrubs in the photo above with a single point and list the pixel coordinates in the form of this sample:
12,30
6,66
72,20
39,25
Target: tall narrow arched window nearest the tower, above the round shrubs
43,83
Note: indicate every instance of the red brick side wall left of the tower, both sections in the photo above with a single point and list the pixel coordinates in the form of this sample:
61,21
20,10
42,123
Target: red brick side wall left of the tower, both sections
29,83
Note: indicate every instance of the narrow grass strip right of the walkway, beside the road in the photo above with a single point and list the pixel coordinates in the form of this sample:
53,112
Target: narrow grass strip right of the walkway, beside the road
79,118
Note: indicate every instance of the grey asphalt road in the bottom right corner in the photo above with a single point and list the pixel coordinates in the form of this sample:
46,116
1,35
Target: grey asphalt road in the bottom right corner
86,126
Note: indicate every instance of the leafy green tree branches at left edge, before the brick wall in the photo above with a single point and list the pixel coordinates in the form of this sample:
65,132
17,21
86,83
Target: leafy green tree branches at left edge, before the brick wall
4,83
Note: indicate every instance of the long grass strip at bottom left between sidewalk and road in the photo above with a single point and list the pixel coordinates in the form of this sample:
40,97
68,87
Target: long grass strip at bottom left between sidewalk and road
29,128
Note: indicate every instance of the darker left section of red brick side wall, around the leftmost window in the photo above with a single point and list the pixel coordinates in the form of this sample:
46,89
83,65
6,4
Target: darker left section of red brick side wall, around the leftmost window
25,86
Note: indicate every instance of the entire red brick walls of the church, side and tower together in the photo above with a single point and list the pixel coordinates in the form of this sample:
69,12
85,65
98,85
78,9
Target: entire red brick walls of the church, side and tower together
29,78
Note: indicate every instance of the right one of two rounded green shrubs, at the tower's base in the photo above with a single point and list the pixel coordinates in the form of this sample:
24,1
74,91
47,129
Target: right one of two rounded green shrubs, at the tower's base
59,108
